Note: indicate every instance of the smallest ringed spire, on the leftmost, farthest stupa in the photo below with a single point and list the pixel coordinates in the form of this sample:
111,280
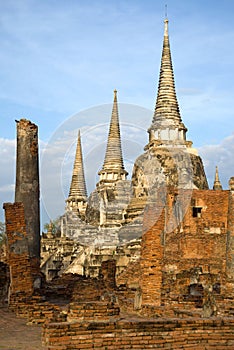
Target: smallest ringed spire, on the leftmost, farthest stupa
78,190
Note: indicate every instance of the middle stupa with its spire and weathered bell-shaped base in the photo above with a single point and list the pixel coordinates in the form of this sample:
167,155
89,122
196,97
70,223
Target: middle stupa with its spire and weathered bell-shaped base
112,190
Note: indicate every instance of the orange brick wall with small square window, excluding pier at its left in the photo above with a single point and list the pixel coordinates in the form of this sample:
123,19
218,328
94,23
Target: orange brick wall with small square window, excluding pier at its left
194,263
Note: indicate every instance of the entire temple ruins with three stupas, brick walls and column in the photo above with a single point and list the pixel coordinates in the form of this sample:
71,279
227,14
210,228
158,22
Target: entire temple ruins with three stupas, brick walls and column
159,247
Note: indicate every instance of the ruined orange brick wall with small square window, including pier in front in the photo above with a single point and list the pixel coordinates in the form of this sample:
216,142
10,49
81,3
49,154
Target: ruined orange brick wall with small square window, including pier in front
183,259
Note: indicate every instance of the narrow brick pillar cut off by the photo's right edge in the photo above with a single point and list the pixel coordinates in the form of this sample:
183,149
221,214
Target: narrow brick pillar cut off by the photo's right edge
230,234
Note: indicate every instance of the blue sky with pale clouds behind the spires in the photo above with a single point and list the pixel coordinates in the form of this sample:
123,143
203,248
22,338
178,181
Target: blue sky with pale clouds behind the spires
59,58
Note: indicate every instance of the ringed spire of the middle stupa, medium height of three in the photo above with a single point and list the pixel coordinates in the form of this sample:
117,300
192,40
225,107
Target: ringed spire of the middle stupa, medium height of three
113,162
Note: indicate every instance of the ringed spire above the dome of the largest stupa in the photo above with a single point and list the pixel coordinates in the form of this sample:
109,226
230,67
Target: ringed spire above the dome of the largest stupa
167,123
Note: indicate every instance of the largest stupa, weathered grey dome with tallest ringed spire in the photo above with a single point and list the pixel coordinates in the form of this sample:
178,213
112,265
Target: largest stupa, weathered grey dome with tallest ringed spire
169,159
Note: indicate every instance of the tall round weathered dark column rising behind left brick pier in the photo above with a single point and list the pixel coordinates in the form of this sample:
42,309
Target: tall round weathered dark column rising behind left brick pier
27,182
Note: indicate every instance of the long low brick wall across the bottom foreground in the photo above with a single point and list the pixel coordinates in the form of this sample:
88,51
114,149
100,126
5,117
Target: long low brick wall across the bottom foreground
173,334
